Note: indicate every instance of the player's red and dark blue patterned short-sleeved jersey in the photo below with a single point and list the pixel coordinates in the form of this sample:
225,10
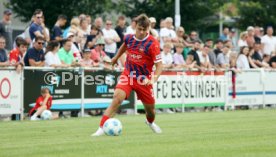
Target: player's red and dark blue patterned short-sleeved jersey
141,55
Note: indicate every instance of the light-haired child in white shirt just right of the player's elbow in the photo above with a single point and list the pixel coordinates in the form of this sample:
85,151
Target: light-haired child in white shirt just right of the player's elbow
167,58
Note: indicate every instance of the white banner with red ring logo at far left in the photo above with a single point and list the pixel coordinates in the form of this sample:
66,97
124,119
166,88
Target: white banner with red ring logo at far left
10,92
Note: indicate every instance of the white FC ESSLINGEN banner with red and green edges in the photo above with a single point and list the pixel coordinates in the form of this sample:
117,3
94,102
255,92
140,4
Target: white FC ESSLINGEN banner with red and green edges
189,89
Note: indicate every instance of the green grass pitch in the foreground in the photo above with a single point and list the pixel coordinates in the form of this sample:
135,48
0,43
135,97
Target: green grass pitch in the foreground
232,133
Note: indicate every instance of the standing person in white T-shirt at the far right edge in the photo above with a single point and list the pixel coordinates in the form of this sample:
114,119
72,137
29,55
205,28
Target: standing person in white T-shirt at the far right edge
268,41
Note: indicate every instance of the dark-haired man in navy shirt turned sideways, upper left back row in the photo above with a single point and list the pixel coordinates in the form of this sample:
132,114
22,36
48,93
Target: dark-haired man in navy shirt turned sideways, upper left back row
57,31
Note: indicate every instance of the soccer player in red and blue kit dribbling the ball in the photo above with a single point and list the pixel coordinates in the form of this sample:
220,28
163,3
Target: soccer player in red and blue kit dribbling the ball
143,52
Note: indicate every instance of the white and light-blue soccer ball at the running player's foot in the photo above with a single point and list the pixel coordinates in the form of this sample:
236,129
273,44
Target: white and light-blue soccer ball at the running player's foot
112,127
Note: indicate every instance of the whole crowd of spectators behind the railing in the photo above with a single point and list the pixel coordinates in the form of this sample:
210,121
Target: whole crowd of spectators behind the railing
93,43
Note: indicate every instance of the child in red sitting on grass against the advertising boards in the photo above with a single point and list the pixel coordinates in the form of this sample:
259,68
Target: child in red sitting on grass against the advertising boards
44,102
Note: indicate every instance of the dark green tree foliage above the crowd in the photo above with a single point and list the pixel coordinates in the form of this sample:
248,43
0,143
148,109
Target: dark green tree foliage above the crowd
195,15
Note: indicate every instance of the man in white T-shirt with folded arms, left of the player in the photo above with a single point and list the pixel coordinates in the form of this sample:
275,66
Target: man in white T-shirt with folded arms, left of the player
111,38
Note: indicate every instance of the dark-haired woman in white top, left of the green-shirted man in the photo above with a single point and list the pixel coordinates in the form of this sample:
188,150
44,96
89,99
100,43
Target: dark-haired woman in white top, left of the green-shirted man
51,55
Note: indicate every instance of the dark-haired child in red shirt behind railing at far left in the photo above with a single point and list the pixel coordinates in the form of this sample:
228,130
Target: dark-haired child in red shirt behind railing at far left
17,54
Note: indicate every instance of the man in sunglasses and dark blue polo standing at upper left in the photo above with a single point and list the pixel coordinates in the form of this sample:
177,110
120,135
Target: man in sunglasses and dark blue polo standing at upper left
36,29
